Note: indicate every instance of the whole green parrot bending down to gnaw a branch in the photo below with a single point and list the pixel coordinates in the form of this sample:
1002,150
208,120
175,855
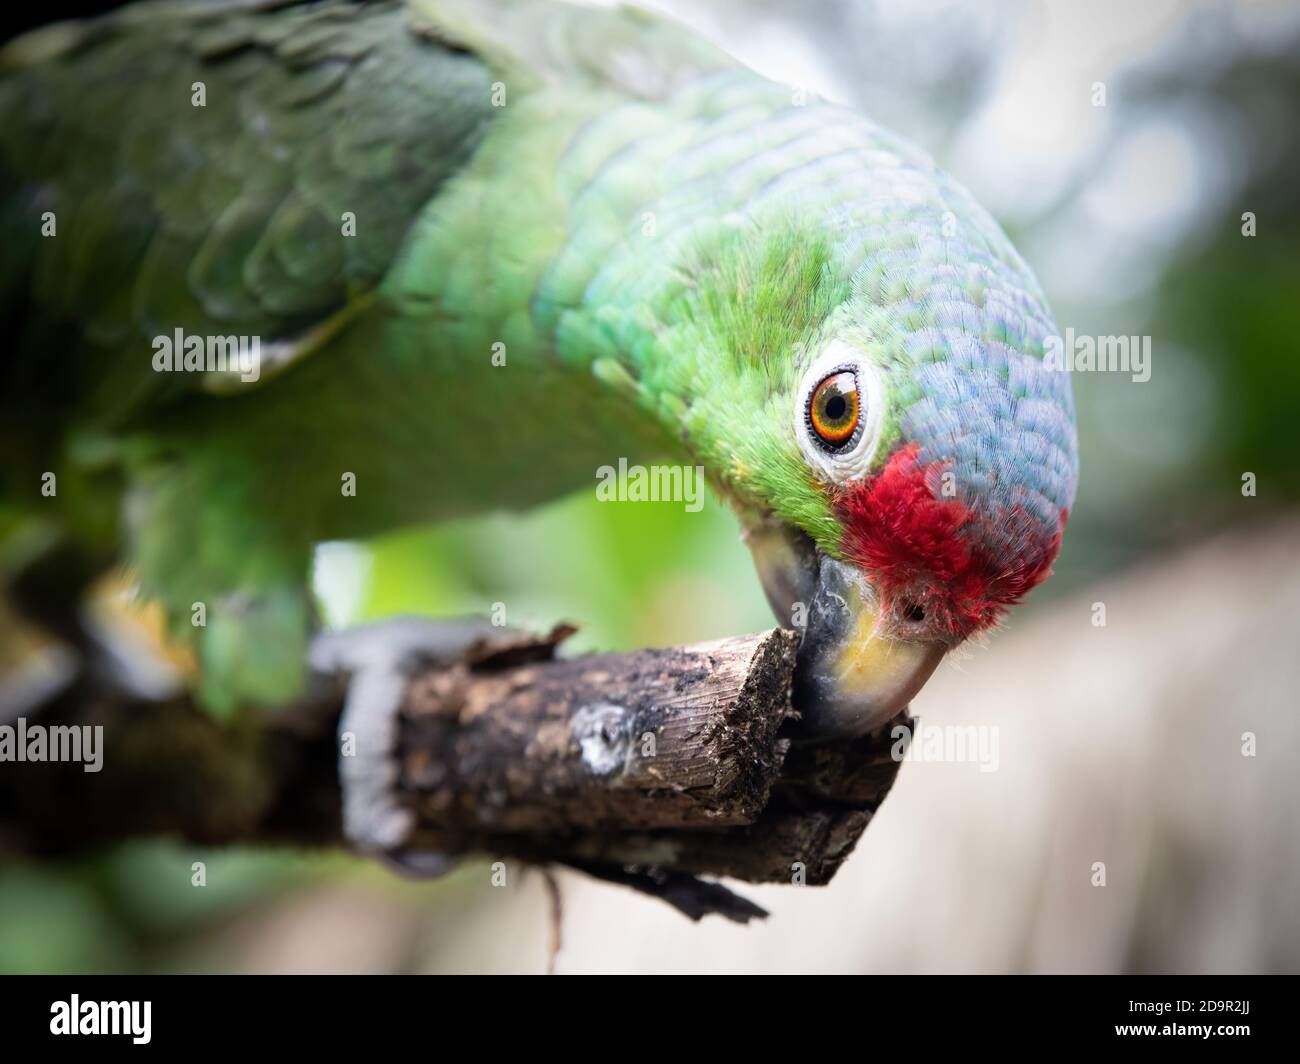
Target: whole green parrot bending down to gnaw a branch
276,274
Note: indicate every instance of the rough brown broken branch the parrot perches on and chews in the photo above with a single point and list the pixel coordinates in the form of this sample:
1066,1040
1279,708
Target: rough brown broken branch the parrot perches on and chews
647,768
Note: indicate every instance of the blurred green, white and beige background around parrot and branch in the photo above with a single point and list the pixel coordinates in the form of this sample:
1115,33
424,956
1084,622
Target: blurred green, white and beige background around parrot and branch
1121,745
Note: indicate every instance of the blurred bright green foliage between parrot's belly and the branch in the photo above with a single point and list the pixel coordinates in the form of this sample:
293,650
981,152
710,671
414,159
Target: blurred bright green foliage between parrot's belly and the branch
629,574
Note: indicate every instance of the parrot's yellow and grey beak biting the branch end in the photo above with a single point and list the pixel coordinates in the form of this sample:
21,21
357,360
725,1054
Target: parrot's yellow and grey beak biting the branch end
851,676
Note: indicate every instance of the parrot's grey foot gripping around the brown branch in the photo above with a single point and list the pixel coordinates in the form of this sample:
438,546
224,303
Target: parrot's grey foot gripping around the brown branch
382,659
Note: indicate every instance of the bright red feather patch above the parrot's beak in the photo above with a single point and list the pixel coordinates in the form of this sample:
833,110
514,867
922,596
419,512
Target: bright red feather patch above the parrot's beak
930,552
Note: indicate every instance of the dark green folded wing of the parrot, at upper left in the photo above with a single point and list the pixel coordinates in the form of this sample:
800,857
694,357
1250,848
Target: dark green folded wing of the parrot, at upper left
200,165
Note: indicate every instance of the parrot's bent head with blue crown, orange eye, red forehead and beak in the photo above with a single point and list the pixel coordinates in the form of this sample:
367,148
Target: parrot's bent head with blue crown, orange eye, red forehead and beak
909,469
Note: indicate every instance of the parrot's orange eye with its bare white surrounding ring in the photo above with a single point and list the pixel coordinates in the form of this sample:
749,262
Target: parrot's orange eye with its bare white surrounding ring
840,413
